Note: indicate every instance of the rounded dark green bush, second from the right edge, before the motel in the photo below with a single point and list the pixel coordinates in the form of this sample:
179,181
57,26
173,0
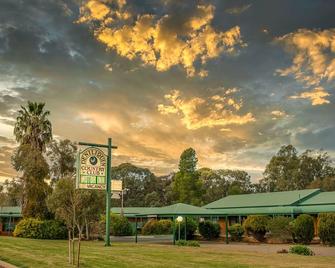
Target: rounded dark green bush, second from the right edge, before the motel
303,229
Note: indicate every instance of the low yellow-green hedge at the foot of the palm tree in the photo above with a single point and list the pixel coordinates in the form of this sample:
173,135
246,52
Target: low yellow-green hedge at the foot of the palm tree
38,229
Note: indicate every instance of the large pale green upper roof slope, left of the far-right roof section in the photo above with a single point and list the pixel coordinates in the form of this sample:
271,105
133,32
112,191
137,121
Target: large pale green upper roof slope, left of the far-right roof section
272,199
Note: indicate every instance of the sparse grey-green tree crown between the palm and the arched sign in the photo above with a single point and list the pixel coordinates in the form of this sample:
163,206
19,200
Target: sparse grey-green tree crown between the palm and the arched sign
62,157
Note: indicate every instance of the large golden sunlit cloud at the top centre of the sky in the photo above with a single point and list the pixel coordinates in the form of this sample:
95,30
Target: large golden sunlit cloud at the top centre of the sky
158,40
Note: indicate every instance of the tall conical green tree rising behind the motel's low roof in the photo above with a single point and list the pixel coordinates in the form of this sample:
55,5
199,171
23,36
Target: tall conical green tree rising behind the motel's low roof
187,185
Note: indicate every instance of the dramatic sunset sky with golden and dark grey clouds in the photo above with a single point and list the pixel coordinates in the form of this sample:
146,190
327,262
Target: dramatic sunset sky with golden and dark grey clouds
235,80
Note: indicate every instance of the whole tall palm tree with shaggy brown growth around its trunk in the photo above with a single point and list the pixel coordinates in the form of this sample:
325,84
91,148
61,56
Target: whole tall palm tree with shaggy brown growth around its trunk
33,131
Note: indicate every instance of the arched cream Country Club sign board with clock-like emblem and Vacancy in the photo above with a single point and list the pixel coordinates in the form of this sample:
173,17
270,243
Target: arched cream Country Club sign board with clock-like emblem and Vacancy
92,165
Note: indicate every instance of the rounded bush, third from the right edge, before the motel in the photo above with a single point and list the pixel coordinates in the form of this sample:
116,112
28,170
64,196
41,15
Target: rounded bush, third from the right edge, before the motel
280,228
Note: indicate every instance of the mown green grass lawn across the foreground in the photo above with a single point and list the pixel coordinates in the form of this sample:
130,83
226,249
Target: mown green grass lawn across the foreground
53,253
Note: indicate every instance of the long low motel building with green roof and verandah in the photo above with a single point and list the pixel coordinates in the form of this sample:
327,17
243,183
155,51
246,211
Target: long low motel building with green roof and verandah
226,211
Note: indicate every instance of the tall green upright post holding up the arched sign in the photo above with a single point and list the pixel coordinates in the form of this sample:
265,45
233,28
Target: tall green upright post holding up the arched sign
108,193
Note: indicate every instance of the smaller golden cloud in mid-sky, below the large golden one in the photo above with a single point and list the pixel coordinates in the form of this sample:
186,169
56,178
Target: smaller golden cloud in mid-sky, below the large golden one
198,112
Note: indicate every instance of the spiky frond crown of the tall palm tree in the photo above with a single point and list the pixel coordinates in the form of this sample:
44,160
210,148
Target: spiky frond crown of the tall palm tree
32,126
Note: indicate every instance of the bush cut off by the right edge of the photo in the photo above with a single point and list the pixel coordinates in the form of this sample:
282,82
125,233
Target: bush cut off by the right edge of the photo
326,228
